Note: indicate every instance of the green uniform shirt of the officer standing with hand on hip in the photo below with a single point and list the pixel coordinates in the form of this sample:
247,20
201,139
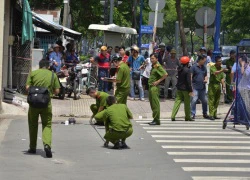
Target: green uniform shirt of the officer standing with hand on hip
156,73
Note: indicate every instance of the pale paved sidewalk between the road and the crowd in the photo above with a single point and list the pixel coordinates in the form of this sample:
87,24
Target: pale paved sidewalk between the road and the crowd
80,108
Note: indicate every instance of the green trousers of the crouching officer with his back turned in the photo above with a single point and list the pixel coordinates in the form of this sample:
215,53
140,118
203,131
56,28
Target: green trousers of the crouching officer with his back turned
115,136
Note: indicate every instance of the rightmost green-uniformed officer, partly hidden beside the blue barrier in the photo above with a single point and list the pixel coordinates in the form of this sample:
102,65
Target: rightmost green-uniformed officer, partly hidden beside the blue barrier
229,63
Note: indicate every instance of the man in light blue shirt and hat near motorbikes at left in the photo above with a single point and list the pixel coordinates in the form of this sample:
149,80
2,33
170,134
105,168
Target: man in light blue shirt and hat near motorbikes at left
56,58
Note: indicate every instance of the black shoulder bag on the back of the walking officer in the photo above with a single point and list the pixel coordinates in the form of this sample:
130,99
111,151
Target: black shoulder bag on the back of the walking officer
39,97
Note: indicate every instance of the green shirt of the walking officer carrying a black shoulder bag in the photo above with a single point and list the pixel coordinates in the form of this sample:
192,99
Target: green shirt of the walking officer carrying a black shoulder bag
42,78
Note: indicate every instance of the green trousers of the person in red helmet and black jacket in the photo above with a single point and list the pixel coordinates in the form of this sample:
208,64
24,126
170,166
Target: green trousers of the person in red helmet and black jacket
182,96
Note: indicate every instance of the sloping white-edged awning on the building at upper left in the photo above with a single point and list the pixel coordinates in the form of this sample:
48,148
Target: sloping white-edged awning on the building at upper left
54,28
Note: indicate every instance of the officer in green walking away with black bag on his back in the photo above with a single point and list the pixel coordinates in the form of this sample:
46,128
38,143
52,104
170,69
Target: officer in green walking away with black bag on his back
42,78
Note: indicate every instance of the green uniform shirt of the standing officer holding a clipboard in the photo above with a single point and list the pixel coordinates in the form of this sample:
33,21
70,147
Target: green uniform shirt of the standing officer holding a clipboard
123,75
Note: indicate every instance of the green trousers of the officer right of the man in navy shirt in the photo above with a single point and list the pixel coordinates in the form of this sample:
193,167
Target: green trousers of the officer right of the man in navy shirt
214,91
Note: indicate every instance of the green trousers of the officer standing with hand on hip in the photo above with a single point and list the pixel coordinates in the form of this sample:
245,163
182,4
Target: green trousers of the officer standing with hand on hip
154,93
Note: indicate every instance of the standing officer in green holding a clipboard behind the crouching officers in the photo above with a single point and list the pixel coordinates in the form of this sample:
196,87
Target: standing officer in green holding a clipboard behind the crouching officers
122,80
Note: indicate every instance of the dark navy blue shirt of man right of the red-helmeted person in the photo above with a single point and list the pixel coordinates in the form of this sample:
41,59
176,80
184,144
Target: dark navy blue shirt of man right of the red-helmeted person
198,76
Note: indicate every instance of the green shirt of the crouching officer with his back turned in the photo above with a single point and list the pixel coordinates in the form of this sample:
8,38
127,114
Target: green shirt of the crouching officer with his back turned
117,117
